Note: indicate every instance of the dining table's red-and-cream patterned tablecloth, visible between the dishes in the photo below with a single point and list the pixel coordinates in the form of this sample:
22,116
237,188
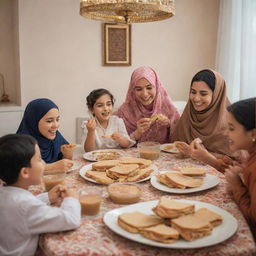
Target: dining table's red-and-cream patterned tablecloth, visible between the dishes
95,238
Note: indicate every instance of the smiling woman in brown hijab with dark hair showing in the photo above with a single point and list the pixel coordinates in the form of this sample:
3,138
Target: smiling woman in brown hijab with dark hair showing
203,125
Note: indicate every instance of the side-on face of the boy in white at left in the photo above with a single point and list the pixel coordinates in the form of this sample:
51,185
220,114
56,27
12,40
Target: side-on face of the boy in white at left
37,168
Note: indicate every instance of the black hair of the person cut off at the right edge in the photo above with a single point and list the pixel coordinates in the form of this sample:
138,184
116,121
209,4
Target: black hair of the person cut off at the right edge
244,112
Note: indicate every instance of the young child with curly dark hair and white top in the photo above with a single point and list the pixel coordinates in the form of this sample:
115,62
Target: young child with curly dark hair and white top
104,130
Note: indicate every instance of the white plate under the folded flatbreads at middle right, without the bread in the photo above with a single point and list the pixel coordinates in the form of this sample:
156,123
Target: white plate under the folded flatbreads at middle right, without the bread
209,182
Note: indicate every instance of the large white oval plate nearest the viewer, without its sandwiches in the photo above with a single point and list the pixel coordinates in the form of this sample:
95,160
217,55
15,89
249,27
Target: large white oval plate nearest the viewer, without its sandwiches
218,235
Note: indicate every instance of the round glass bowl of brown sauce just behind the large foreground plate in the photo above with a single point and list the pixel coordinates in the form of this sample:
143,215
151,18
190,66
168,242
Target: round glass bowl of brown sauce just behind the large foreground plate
124,193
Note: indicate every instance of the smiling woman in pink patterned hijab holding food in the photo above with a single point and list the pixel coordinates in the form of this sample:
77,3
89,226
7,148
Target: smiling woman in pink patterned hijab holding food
148,111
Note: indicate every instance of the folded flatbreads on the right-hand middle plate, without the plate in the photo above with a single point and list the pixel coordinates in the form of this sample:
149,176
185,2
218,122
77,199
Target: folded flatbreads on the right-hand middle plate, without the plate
181,179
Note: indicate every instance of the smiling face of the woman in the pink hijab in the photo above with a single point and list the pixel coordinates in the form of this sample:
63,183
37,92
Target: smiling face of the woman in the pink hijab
145,92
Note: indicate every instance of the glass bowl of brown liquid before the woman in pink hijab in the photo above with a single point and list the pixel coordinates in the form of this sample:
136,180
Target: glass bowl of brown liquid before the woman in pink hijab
149,150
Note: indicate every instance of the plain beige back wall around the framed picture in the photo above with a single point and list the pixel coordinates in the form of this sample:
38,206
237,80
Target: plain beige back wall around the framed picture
60,53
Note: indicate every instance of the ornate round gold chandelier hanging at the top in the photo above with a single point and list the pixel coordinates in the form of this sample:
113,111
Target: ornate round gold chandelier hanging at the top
127,11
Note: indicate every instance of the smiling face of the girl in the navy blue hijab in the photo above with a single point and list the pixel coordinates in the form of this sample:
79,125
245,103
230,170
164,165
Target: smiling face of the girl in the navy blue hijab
49,124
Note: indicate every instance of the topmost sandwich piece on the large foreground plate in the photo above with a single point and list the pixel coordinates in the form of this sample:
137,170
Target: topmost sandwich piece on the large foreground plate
168,208
